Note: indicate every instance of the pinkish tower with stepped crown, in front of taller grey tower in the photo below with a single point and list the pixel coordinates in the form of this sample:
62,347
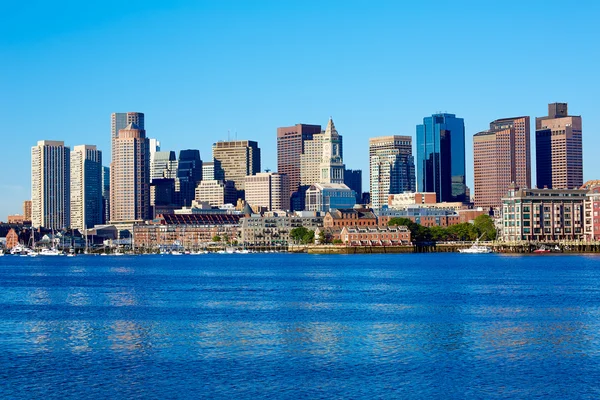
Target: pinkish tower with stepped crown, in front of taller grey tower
130,176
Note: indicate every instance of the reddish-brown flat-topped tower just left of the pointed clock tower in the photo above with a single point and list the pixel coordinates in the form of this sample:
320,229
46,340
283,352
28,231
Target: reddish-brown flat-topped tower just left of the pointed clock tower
290,146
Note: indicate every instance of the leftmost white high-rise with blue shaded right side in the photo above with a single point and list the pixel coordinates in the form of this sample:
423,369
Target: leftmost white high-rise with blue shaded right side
50,188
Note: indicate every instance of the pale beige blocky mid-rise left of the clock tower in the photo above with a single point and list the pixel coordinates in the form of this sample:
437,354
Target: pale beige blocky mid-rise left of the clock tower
268,190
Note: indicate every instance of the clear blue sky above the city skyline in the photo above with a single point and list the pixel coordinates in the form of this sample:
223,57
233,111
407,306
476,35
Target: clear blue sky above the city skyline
203,71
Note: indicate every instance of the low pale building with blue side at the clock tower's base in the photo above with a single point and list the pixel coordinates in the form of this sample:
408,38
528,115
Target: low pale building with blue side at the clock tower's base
322,197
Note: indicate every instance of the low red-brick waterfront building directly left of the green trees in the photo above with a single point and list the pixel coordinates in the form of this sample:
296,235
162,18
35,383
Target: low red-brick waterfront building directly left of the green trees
375,236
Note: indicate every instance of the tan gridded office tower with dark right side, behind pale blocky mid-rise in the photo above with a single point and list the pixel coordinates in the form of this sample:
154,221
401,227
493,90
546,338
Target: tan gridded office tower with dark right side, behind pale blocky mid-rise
238,159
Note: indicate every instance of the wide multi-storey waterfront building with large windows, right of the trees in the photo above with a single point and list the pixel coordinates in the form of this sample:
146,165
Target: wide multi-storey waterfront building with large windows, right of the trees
543,214
